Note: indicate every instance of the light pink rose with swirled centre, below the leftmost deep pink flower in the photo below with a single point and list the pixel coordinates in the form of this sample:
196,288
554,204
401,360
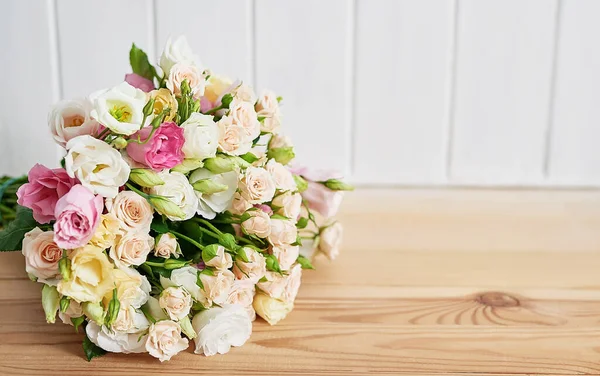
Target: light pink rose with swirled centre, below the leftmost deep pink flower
77,217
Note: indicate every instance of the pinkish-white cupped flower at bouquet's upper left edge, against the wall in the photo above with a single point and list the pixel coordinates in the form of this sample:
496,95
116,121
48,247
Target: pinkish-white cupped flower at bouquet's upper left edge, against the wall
71,118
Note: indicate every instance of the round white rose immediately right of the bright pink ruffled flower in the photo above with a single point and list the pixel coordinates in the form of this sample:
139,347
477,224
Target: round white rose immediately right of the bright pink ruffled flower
201,136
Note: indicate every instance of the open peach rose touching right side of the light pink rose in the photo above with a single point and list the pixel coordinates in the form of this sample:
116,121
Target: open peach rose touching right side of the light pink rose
132,210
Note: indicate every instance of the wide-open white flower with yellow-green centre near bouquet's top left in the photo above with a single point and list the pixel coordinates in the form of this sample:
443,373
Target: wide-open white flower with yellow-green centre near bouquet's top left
120,109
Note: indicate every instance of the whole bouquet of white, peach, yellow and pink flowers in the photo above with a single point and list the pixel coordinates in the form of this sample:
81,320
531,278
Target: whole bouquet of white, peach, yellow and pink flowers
177,214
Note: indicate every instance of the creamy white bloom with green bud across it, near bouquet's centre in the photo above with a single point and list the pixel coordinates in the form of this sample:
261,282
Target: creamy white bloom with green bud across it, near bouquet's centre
211,204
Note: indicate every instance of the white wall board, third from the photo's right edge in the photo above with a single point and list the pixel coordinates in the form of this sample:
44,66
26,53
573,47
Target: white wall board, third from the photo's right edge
403,56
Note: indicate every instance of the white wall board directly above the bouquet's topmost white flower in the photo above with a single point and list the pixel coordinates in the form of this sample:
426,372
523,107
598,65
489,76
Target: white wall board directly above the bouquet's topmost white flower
218,31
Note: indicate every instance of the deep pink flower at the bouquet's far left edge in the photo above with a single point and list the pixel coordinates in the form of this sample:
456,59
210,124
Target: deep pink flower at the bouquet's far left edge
44,189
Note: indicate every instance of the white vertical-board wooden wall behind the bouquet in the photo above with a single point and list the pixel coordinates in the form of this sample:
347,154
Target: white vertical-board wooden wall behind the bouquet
393,92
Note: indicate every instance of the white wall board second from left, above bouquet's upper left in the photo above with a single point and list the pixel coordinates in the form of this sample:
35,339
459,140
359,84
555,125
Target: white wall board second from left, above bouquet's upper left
95,39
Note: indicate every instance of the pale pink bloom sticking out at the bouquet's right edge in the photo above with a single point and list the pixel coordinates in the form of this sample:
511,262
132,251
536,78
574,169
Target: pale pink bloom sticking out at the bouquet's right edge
320,198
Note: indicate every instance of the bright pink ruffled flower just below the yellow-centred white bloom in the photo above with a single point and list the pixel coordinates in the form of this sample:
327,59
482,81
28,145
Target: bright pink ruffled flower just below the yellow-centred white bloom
163,151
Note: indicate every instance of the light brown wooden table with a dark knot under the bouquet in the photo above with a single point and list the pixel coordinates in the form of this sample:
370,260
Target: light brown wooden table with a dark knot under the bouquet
429,282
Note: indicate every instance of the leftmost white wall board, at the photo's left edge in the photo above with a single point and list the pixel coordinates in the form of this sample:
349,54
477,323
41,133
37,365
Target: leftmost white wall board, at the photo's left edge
27,87
